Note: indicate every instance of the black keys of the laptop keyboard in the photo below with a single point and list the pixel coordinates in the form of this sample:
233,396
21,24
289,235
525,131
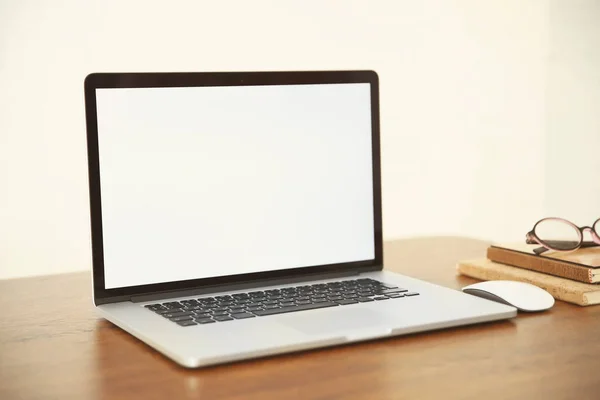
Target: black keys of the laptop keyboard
208,310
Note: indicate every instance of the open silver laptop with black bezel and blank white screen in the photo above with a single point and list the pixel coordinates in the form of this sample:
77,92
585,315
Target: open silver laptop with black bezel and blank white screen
237,215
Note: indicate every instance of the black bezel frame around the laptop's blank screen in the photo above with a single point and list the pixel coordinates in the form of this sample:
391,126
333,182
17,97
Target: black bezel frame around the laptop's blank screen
197,79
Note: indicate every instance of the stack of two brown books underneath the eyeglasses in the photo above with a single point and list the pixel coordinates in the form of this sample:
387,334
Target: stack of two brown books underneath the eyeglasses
569,276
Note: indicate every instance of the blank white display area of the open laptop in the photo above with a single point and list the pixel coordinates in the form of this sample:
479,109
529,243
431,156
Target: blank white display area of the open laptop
200,182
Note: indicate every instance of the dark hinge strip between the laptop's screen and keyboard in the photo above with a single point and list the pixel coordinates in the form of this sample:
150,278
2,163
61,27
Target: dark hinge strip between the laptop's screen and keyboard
241,286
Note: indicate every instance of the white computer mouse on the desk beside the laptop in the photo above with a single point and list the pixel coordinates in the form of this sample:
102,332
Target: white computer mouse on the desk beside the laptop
523,296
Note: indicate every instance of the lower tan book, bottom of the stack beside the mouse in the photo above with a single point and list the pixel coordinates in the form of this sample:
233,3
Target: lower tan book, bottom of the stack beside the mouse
583,294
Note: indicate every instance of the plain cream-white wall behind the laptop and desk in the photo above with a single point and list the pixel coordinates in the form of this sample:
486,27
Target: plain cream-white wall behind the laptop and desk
488,108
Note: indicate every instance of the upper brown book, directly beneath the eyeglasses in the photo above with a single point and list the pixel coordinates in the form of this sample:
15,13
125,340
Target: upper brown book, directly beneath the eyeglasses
581,265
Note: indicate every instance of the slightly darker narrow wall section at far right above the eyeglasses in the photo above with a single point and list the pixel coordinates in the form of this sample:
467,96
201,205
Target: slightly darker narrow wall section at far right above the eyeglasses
572,187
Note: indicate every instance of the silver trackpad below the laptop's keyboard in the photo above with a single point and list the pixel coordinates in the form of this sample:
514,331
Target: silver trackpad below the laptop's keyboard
336,321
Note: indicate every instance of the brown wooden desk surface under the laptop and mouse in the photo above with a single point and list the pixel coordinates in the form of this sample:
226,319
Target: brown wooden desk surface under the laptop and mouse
53,346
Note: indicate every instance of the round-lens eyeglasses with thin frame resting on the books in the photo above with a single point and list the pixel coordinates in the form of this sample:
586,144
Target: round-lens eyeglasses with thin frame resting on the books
561,235
